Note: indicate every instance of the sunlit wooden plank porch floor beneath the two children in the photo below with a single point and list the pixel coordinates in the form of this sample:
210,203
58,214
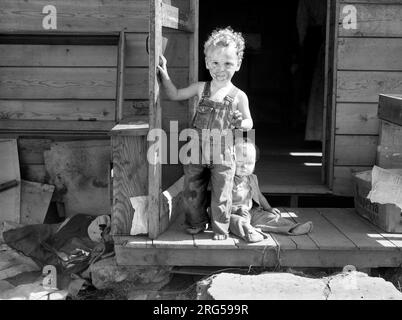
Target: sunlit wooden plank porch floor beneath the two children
340,237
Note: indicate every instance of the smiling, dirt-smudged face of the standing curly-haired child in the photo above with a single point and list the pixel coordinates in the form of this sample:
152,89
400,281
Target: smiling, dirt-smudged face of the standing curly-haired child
222,62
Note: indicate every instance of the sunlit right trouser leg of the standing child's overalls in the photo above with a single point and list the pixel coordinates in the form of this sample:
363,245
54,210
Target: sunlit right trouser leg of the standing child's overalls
221,197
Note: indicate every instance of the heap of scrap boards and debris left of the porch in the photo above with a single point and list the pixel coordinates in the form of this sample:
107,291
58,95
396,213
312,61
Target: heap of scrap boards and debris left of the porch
29,246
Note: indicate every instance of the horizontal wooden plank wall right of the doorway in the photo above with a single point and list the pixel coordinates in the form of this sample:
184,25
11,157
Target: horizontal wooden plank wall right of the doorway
369,63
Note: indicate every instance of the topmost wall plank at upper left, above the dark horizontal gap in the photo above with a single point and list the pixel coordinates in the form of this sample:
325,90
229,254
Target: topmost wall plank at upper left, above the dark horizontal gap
89,16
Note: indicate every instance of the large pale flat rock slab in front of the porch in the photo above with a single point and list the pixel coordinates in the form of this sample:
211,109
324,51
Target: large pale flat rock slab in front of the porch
286,286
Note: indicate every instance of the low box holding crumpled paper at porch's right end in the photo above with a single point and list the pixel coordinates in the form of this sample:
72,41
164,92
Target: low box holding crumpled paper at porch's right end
386,216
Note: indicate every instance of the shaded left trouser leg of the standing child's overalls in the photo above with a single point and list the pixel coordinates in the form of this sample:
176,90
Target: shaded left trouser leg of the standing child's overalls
196,179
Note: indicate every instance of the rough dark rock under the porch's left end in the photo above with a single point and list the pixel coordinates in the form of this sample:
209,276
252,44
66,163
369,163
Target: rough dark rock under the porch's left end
106,274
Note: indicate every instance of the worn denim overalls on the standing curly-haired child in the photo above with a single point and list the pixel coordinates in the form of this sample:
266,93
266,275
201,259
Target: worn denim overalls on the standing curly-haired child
211,115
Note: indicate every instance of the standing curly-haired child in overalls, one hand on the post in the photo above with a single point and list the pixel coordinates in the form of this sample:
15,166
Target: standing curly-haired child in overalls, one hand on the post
222,107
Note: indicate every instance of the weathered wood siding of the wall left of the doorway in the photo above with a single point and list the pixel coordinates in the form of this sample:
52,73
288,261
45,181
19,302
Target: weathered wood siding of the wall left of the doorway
55,83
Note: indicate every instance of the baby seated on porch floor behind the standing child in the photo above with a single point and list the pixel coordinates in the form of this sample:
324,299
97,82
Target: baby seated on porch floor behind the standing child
251,211
